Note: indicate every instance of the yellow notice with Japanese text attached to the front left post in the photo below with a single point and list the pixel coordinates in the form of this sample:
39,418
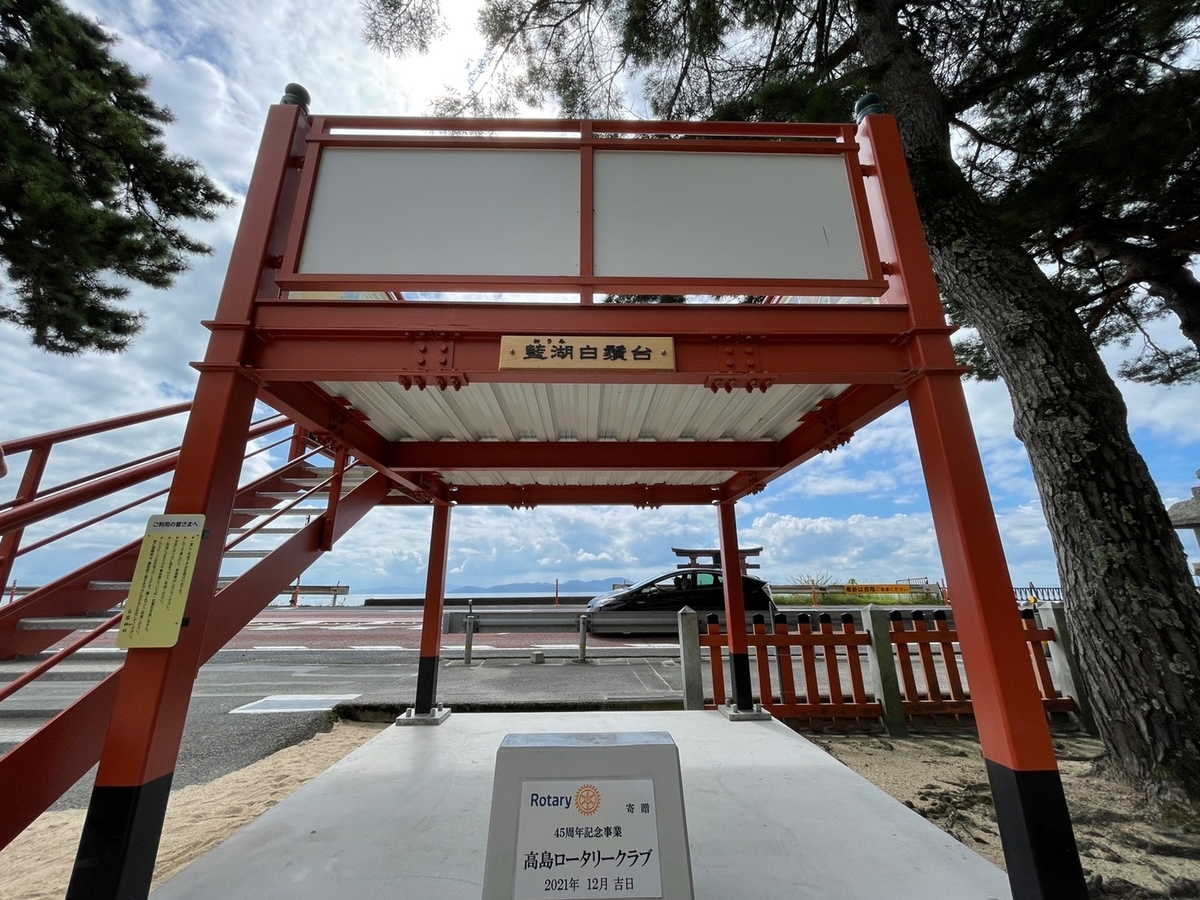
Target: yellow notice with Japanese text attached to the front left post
154,613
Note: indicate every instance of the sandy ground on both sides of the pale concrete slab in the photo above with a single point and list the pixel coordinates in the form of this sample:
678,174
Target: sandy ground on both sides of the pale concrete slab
1125,851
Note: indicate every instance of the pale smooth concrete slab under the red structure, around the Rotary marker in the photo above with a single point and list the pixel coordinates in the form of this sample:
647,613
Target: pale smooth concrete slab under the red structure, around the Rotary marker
770,817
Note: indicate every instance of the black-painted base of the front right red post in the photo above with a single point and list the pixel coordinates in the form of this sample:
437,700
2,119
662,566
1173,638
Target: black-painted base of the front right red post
1037,836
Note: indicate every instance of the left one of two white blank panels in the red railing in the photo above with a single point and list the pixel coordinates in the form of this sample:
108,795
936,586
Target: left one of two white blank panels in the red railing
385,212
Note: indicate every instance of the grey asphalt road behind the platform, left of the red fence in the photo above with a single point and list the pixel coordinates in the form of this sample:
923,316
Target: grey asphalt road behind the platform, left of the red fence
328,653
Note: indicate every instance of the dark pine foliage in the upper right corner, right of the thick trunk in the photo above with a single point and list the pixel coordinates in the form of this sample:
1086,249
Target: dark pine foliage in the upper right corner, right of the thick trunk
1095,166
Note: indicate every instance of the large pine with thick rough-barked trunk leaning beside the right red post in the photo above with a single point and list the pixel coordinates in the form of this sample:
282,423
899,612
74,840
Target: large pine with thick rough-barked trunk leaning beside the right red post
962,76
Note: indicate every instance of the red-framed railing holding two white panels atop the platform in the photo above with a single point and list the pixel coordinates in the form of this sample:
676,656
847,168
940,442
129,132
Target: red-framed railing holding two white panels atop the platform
813,237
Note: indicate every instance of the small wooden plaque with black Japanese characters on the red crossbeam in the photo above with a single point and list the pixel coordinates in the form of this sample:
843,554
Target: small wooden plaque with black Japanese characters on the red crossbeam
614,355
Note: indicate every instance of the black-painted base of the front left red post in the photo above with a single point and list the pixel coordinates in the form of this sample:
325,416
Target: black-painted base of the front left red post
121,842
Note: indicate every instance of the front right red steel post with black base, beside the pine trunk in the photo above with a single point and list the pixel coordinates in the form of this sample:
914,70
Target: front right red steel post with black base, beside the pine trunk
1031,809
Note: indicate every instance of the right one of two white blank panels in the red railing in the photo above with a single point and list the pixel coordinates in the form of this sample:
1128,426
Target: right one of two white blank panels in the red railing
725,217
